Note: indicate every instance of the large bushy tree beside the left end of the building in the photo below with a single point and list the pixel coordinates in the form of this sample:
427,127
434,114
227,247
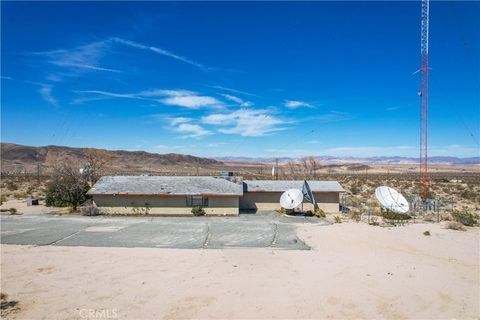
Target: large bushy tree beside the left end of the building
68,188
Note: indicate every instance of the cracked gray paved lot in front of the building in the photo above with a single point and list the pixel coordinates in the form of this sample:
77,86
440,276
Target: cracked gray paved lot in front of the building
244,231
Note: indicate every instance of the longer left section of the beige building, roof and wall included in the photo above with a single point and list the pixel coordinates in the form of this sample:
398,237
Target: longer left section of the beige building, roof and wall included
172,195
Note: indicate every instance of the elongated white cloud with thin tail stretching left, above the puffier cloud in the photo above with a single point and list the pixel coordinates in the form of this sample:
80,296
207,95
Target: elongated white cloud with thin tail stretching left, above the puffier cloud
182,98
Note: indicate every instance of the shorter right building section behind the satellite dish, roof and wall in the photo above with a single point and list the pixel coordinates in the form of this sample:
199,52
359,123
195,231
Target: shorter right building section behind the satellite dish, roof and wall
265,194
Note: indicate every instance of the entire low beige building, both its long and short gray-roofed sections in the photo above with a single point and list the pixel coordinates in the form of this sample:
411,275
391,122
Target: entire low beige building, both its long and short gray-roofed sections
226,195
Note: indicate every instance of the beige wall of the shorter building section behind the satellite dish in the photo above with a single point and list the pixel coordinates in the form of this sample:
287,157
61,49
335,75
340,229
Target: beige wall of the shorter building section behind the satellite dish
261,201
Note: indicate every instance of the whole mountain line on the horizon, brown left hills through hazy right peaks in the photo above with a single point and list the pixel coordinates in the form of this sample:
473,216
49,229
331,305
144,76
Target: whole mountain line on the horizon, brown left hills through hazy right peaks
21,158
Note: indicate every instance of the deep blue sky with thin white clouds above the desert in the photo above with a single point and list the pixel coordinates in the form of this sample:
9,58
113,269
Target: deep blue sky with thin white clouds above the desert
239,79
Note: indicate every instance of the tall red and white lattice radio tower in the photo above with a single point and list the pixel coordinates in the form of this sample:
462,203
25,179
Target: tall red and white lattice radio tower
423,93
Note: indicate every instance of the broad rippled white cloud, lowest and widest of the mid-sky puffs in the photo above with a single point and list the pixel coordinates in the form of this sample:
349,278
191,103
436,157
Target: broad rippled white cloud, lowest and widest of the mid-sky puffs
251,123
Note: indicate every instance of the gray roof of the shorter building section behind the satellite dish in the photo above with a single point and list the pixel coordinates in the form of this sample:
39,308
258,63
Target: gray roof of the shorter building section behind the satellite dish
284,185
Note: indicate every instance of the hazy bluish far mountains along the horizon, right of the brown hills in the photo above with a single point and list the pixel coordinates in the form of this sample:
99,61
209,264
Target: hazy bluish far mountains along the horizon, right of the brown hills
365,160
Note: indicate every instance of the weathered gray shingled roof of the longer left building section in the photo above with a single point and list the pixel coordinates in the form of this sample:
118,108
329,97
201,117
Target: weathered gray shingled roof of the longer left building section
174,185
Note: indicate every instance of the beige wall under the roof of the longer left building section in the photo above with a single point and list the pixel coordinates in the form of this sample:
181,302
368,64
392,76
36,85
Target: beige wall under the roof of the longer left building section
162,205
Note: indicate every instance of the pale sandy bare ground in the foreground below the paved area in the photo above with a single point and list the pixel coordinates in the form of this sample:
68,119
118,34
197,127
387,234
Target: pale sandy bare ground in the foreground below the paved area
353,271
